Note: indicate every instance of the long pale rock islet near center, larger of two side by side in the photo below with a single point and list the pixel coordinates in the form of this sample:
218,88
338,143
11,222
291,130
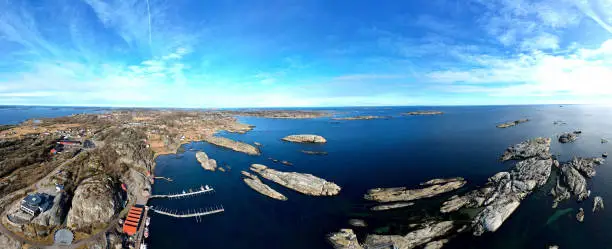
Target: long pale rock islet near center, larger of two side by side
300,182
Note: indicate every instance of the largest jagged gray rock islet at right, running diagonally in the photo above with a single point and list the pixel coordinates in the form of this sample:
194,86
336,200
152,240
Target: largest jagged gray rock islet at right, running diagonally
504,191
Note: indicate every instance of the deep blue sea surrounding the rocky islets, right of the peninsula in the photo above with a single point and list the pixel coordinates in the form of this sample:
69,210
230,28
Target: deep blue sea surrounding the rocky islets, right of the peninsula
401,151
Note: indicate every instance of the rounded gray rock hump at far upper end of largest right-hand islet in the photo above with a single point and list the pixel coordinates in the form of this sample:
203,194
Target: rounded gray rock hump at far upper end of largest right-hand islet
538,147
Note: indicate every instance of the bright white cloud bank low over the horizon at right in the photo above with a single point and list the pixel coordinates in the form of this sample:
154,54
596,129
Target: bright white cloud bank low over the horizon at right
580,73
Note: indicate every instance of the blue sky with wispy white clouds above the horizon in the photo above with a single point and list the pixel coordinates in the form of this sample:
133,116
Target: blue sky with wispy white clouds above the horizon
192,53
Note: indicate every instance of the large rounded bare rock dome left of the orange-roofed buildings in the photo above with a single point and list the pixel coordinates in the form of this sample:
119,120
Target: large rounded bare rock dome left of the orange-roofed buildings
95,202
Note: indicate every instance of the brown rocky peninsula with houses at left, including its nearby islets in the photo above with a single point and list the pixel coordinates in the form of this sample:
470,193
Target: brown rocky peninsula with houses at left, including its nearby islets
85,171
